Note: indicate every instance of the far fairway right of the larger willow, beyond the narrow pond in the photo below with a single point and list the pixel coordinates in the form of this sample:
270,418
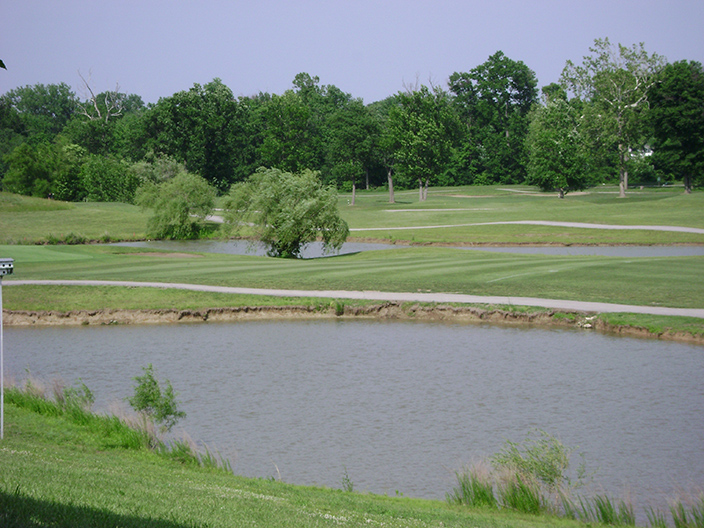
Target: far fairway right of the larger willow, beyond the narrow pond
455,216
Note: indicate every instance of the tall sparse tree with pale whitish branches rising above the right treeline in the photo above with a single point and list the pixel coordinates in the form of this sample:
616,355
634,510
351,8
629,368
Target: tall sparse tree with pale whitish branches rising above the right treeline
615,81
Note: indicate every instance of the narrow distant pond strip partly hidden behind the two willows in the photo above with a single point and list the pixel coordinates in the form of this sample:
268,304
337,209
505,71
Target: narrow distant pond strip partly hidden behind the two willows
315,250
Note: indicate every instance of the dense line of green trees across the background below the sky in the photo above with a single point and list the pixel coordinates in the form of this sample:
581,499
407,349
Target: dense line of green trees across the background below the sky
622,115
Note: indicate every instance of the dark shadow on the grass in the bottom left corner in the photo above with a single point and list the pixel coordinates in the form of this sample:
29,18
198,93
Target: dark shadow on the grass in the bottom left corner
17,511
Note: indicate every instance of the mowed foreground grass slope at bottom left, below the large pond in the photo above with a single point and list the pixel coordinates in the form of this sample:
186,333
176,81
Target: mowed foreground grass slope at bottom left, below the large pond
54,472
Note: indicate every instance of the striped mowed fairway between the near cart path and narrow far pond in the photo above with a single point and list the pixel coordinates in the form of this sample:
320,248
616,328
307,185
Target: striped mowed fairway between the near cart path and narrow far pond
672,282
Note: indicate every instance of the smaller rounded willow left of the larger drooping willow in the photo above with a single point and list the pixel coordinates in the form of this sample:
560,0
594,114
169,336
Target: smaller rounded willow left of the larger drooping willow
180,204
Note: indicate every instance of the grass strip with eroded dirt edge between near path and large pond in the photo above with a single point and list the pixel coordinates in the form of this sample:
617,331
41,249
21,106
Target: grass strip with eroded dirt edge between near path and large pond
85,304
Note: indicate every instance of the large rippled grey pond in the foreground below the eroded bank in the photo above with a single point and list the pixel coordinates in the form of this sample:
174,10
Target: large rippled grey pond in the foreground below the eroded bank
398,406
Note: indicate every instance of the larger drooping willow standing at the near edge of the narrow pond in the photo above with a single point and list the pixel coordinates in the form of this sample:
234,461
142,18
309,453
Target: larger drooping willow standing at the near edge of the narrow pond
286,211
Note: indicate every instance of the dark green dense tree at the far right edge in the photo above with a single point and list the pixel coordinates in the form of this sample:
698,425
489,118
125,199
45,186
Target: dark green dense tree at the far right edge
677,119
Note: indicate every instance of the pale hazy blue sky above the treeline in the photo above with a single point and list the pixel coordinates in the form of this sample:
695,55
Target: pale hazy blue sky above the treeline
368,48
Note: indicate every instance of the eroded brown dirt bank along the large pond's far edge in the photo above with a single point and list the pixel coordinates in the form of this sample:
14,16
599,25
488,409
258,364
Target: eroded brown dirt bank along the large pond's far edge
389,310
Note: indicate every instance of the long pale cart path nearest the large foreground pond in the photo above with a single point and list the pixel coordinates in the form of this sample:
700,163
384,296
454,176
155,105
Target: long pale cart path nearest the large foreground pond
580,306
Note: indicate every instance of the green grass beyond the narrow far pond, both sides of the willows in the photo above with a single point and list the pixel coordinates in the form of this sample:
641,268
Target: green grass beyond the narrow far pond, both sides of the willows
26,220
